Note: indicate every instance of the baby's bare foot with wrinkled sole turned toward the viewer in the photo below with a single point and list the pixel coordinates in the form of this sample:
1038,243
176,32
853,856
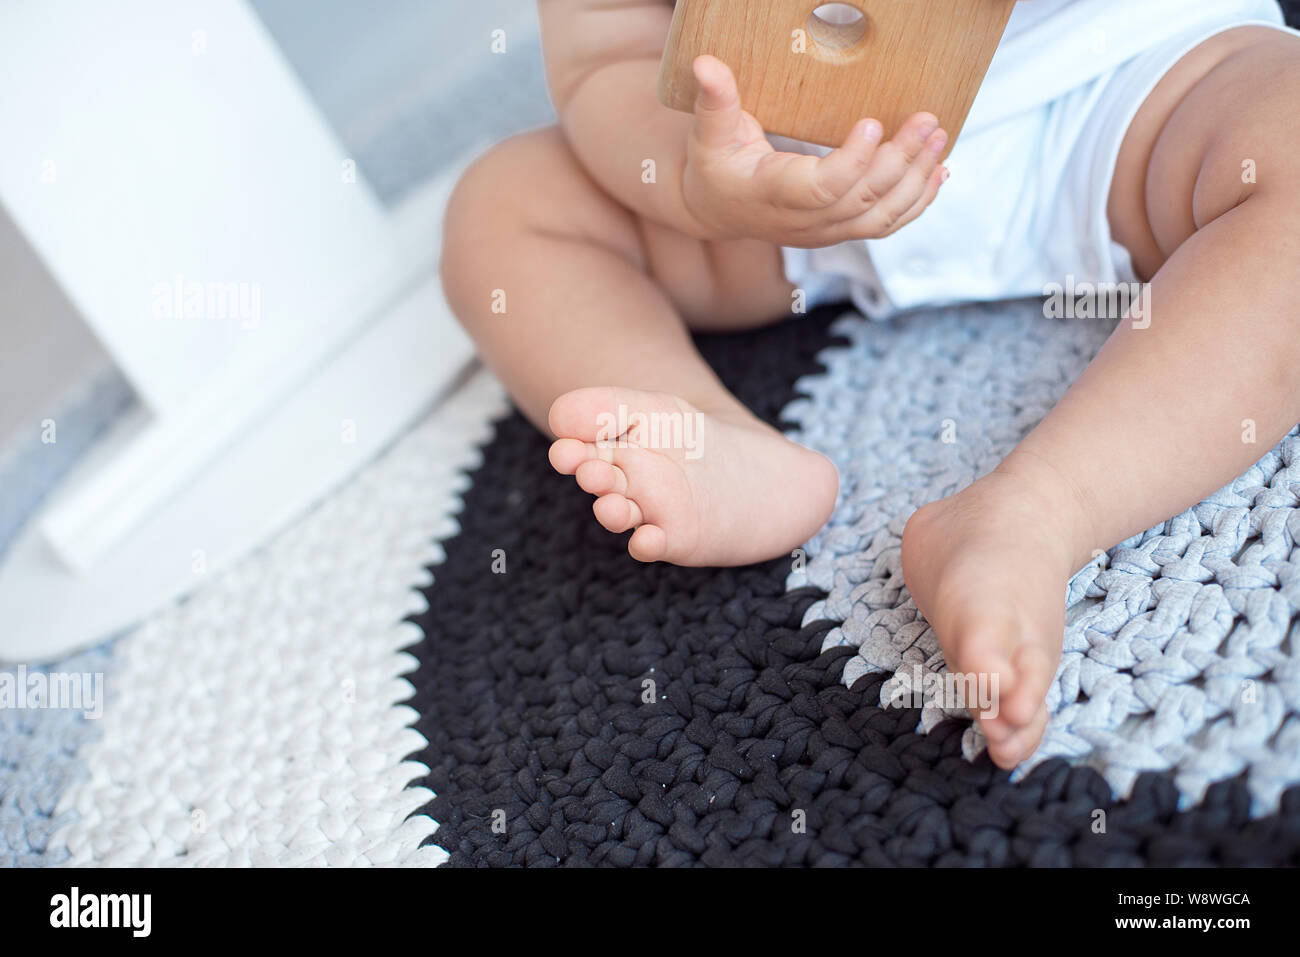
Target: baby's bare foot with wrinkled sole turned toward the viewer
716,488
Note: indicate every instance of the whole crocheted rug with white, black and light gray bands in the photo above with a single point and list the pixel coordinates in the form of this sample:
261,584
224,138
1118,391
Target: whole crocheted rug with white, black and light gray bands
558,704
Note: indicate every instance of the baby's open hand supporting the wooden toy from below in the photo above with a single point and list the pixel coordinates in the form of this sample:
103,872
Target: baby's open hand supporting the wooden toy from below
738,187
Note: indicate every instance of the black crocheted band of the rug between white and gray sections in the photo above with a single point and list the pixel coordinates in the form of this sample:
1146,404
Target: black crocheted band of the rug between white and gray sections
544,751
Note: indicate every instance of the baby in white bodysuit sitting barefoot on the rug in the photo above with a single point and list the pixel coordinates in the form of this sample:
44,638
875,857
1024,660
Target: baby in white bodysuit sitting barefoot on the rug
1112,142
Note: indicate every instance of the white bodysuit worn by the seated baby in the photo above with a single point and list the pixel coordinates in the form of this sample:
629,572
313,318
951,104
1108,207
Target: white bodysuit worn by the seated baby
1026,205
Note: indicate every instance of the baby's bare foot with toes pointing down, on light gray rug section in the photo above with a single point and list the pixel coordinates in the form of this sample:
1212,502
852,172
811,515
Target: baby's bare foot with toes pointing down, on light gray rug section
989,569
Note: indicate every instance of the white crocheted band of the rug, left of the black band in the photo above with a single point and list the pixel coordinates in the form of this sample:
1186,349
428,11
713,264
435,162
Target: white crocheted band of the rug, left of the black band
258,724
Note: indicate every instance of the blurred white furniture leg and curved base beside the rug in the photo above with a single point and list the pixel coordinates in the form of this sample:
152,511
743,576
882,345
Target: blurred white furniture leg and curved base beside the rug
150,148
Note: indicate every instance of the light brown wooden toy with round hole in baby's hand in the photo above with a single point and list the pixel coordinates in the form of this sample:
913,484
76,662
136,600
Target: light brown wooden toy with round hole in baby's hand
809,70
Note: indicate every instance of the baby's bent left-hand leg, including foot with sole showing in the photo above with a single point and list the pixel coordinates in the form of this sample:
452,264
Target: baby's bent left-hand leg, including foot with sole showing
583,310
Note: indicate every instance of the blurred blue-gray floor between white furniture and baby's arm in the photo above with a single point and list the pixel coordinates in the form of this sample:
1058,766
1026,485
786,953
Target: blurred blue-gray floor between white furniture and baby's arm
413,85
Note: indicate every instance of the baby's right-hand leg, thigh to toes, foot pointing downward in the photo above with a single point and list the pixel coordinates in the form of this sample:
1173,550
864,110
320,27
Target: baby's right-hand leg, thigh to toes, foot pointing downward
1165,415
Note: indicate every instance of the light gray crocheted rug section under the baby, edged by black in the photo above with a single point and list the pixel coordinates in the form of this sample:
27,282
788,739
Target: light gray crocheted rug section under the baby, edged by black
1180,646
